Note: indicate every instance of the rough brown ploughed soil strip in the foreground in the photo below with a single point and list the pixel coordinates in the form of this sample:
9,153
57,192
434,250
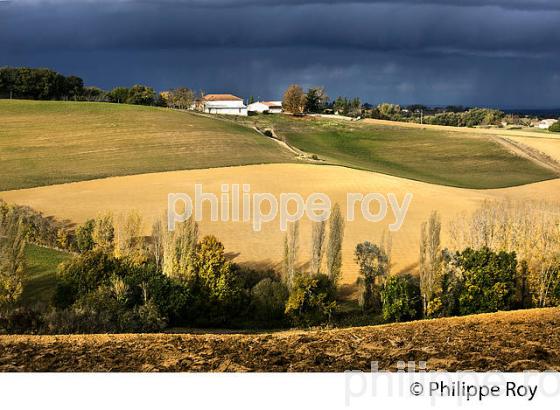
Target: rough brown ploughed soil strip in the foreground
506,341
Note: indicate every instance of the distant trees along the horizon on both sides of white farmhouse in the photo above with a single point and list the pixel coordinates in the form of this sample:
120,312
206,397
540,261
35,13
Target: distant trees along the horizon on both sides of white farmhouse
46,84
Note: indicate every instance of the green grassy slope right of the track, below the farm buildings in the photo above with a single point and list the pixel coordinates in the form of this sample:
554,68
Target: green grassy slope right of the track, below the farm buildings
461,159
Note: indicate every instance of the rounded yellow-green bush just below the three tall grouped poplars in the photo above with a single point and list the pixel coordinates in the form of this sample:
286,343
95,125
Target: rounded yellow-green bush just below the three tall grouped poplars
312,300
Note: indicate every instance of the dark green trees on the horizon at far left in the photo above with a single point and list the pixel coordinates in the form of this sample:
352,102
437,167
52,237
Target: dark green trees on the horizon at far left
46,84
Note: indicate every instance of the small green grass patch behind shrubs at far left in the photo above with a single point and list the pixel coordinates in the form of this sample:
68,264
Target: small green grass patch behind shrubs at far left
40,274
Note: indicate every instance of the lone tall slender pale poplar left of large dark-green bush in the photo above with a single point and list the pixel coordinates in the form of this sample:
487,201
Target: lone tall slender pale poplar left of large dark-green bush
430,258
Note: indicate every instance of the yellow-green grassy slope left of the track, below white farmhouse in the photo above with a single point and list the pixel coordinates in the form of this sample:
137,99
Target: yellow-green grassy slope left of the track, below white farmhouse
44,143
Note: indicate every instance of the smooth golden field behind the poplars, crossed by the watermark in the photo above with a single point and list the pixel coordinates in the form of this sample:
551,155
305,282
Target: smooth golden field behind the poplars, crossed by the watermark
148,193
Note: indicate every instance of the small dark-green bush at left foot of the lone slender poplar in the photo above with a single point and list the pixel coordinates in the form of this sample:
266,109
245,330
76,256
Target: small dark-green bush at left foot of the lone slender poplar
401,298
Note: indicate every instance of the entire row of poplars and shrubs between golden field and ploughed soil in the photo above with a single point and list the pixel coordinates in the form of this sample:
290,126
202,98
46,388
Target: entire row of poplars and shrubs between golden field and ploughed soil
504,256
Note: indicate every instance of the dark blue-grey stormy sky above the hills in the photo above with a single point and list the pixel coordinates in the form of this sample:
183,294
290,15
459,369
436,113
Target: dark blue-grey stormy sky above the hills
501,53
